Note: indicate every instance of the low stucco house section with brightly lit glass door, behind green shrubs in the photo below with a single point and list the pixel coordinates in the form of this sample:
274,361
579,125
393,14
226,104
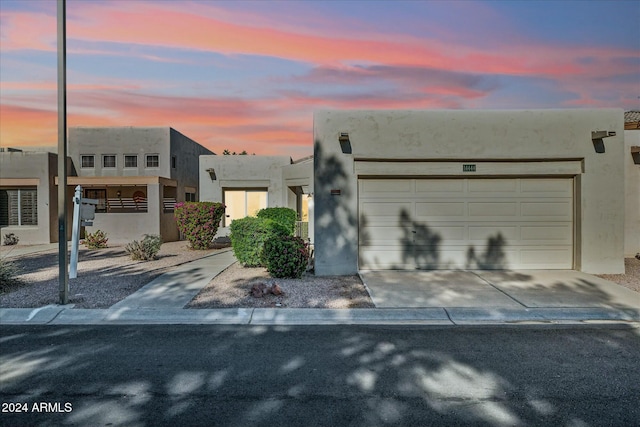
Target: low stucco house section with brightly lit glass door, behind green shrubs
246,184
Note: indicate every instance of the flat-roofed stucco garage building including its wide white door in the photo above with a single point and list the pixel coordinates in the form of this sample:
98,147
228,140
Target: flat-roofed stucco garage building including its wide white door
530,189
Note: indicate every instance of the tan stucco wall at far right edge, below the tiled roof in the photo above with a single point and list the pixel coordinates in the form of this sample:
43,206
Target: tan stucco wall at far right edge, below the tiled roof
632,195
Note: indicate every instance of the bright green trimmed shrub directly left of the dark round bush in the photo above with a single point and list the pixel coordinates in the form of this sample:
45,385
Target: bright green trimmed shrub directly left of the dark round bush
248,236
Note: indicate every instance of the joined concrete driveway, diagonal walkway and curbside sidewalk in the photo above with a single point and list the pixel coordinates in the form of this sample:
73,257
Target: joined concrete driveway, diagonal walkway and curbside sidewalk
402,298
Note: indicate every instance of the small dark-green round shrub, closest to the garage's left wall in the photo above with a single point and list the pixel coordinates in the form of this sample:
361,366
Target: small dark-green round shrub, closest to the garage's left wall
286,256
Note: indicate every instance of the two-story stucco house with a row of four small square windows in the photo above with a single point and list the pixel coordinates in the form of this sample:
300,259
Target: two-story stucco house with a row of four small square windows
137,174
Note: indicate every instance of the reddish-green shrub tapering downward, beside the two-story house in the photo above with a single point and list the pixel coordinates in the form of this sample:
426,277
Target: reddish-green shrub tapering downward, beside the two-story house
199,221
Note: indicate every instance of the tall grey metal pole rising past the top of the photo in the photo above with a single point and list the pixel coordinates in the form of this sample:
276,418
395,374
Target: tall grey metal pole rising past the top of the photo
63,278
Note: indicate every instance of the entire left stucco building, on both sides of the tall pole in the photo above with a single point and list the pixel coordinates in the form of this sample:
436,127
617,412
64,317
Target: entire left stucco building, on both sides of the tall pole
137,174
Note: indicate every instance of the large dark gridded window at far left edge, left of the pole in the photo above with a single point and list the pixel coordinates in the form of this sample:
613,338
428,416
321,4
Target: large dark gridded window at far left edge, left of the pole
19,207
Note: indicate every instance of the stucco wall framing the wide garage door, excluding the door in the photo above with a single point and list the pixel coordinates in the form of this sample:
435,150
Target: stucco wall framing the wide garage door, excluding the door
461,136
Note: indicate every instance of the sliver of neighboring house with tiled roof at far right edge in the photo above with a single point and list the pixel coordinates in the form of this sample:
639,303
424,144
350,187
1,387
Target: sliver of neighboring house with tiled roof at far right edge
632,188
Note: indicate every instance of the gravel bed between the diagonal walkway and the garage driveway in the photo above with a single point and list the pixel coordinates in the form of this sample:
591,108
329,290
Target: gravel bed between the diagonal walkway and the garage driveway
232,288
